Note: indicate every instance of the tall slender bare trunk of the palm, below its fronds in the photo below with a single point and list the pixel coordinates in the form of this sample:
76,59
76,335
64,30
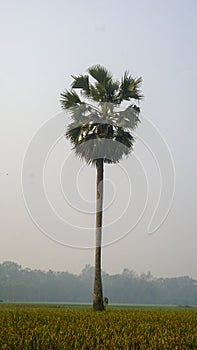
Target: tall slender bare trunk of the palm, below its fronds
98,290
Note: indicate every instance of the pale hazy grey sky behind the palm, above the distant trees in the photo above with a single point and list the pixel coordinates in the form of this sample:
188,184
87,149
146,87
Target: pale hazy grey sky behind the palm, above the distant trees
42,44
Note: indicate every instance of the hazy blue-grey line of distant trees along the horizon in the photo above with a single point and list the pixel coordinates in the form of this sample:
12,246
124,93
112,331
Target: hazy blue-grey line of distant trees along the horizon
26,285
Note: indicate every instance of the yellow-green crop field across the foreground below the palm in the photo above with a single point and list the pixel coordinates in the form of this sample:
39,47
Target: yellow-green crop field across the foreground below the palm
47,327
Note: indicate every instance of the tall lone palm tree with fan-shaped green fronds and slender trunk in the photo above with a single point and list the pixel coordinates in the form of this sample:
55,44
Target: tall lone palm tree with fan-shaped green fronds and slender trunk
101,133
